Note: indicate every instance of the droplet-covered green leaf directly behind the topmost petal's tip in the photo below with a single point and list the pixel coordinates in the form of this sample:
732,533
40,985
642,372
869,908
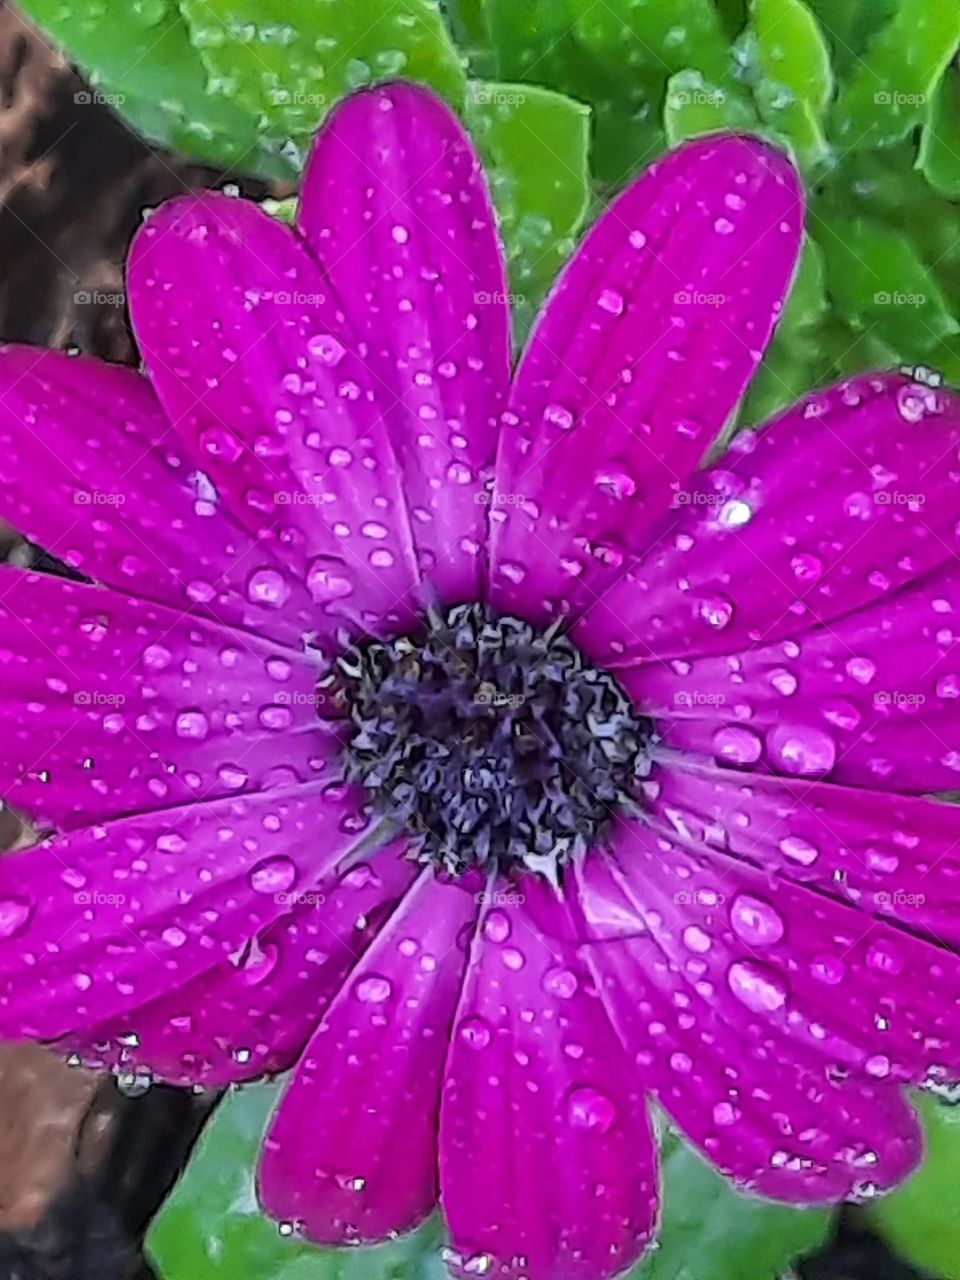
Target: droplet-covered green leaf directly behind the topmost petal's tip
289,63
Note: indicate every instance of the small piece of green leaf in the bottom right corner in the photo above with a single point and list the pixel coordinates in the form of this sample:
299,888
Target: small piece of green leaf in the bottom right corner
922,1218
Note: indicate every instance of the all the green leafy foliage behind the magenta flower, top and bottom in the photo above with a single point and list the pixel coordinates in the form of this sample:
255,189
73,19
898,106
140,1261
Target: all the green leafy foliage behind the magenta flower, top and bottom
569,99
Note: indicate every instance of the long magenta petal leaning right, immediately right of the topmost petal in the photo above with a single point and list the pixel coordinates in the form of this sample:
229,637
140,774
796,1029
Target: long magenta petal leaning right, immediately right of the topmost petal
646,346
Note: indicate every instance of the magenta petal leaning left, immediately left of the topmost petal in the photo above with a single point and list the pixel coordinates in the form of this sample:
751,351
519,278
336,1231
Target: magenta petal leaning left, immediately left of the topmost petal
254,362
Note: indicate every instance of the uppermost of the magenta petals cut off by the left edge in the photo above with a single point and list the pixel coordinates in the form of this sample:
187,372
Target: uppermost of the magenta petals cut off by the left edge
90,470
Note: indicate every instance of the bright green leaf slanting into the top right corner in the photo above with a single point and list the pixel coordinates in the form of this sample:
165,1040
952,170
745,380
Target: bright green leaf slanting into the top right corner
893,85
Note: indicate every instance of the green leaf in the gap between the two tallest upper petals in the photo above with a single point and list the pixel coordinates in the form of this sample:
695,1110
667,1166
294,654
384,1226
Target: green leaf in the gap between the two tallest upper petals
536,145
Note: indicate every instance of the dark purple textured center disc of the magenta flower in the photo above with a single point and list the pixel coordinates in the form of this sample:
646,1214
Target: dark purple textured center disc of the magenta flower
497,746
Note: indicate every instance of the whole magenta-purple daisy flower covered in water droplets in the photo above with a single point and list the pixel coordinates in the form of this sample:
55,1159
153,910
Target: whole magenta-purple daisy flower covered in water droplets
461,746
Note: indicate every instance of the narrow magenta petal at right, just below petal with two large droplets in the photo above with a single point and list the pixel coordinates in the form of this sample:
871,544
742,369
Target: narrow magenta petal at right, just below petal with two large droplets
889,856
